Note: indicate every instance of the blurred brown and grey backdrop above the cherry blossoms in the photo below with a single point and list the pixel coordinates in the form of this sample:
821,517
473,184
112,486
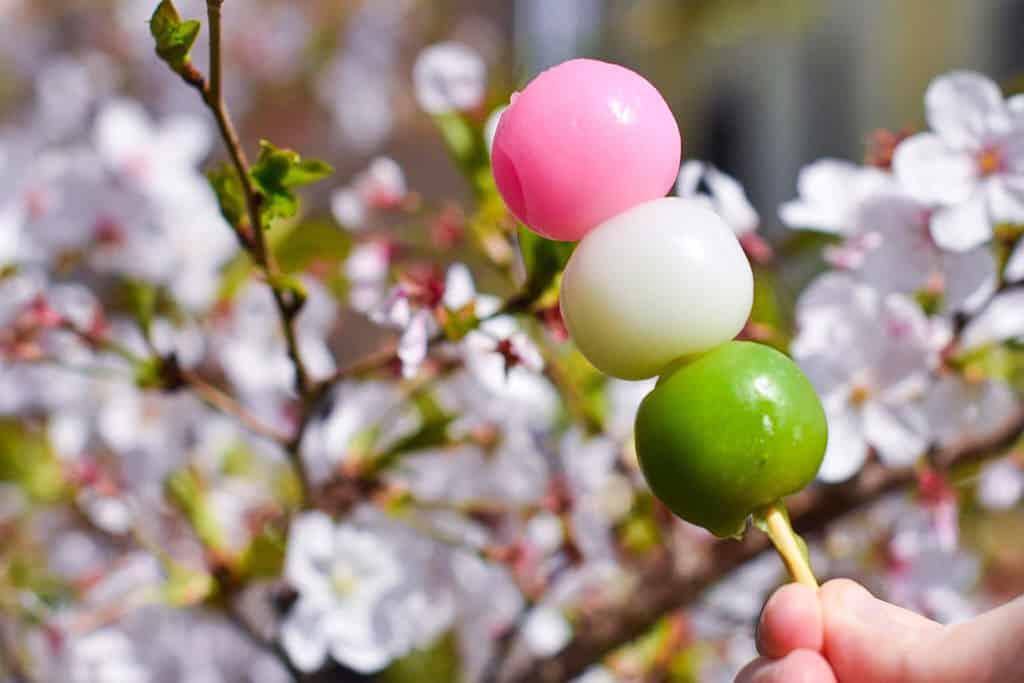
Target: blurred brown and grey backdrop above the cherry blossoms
760,88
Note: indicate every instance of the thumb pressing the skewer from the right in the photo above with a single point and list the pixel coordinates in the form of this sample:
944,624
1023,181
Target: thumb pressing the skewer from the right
872,642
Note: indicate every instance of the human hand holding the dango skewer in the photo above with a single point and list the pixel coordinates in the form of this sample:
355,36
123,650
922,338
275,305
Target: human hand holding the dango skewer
843,634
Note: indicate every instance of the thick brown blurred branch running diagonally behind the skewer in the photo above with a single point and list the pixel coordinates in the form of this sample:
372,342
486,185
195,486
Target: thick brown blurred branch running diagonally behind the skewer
677,579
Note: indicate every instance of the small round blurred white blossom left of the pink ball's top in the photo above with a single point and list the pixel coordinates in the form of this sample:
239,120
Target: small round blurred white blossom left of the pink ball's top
449,77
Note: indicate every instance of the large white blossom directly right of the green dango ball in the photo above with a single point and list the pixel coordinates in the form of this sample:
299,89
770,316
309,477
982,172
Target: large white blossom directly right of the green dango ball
870,358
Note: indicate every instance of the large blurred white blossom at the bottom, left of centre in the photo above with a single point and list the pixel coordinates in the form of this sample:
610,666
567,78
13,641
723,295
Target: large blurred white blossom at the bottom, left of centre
358,601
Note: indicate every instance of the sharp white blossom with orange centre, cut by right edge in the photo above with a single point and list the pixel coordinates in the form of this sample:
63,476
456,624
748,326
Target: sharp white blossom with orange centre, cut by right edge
971,163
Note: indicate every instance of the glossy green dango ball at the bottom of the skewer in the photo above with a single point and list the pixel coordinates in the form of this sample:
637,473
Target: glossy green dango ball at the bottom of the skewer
730,434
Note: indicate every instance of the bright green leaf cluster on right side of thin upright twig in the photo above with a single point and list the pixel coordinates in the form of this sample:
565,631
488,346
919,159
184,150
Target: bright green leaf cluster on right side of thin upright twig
279,172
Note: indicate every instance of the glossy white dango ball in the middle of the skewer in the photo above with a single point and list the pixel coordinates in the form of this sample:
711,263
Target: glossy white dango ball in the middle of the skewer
662,281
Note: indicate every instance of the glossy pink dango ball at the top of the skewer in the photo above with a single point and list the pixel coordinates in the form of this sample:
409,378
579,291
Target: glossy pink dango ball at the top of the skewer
584,142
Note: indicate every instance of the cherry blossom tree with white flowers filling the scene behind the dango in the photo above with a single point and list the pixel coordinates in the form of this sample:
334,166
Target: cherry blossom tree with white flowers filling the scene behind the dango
260,422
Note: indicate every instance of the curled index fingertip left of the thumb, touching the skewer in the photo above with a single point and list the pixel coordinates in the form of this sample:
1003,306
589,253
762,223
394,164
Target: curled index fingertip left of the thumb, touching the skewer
791,621
